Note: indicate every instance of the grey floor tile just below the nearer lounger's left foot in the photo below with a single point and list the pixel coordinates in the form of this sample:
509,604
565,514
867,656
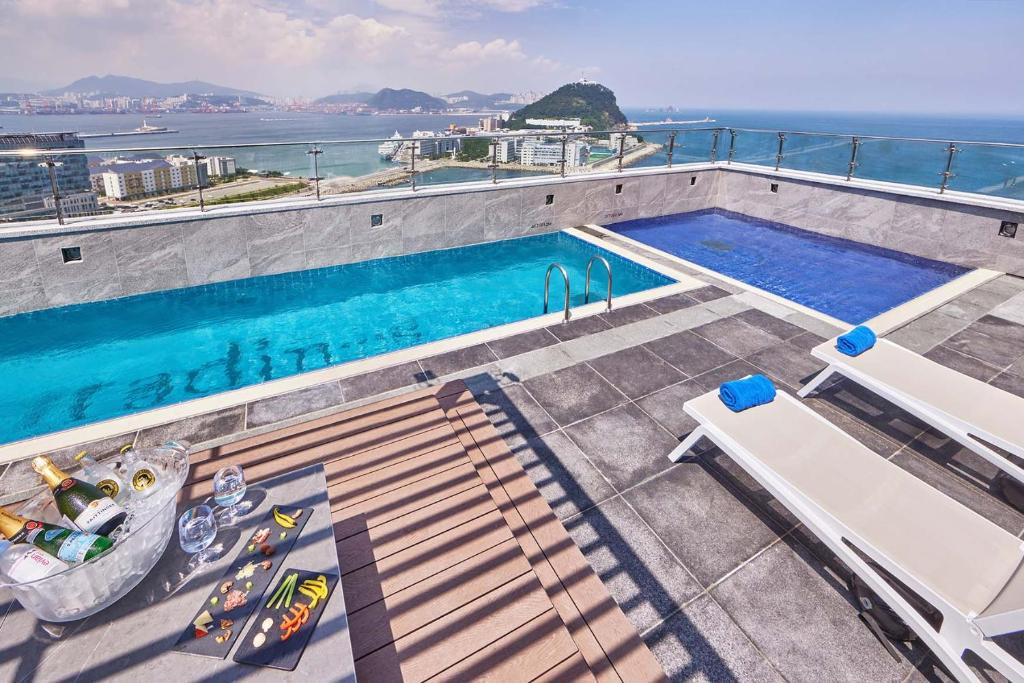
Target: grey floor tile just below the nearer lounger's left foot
705,524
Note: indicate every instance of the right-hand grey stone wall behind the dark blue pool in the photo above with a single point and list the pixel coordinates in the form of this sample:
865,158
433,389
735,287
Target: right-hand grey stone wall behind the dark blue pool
931,228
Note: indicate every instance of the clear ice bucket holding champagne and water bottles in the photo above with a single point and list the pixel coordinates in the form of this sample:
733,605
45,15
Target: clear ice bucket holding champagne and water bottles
88,588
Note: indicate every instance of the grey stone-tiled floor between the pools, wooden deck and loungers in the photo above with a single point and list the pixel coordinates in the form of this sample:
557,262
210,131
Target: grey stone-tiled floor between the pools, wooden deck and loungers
718,579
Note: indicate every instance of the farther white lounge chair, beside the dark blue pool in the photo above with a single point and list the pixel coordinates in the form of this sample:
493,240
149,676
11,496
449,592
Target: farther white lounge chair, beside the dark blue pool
967,410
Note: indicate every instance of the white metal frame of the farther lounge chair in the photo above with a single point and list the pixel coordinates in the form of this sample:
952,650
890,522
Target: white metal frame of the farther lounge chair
964,434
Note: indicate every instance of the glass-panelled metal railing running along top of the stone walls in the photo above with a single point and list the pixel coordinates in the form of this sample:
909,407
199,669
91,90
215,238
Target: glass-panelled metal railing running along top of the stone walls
322,168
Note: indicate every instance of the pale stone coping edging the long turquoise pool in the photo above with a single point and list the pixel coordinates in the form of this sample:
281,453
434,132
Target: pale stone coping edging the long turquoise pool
155,417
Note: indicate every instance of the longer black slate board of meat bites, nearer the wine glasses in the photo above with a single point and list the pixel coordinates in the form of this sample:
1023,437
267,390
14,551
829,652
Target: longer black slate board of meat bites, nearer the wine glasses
208,646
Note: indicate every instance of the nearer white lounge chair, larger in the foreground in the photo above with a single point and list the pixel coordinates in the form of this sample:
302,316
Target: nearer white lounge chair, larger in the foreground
970,570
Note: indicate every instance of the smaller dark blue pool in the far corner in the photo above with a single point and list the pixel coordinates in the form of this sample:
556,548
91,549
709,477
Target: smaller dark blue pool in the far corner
847,280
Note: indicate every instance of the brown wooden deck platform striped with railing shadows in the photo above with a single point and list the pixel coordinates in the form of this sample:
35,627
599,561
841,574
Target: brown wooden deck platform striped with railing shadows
454,567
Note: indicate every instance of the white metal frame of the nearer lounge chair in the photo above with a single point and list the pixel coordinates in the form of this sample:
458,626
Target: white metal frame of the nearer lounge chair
959,632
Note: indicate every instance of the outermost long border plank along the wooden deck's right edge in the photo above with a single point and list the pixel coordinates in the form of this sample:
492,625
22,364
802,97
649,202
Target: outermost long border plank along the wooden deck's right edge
617,637
